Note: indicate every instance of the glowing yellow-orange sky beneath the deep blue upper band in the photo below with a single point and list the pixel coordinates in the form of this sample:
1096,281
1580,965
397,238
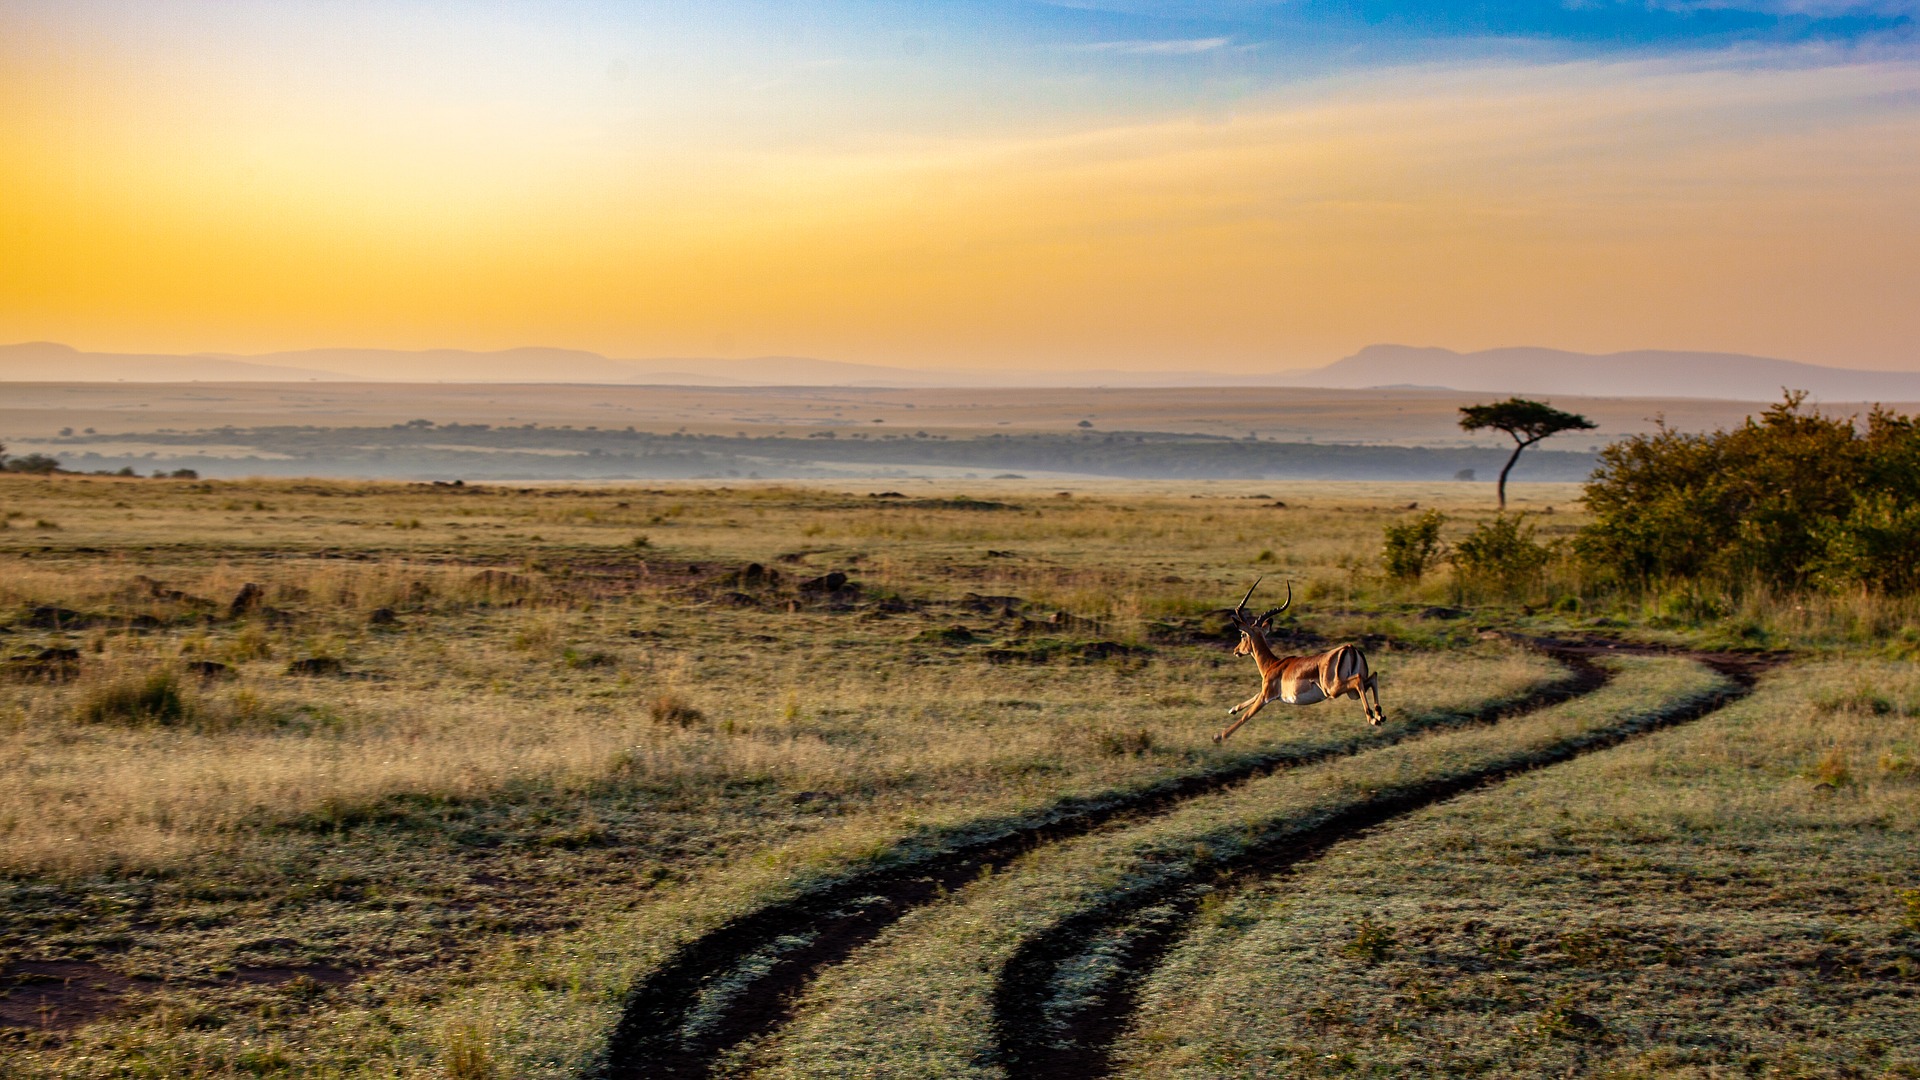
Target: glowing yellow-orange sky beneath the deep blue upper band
362,182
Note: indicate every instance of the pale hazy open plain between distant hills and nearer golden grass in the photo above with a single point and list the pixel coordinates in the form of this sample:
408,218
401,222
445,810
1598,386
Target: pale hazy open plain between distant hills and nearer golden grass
813,433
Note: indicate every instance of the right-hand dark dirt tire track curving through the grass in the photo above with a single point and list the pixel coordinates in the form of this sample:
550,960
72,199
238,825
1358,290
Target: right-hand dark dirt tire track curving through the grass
1084,1050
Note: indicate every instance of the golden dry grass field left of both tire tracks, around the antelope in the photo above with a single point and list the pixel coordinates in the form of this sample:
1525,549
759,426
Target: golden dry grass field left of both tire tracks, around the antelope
548,754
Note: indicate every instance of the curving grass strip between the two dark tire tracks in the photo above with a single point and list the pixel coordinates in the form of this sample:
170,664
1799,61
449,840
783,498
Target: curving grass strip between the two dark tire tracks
921,998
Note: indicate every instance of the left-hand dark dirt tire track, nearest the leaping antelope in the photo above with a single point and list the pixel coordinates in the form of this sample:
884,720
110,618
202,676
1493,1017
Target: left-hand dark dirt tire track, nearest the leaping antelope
838,920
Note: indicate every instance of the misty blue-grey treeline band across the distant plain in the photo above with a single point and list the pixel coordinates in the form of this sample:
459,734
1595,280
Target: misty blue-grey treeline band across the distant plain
427,451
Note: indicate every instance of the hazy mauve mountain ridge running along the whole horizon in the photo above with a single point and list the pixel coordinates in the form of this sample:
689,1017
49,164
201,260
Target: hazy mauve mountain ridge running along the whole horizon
1524,370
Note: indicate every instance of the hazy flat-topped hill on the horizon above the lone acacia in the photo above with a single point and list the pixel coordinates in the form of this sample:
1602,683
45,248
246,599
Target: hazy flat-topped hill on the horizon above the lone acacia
1644,374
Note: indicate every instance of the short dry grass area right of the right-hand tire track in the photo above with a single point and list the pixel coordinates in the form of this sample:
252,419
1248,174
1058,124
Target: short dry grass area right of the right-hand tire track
1716,900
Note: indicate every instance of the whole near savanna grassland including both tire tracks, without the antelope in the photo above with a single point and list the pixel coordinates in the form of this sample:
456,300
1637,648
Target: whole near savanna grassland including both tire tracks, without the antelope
339,779
